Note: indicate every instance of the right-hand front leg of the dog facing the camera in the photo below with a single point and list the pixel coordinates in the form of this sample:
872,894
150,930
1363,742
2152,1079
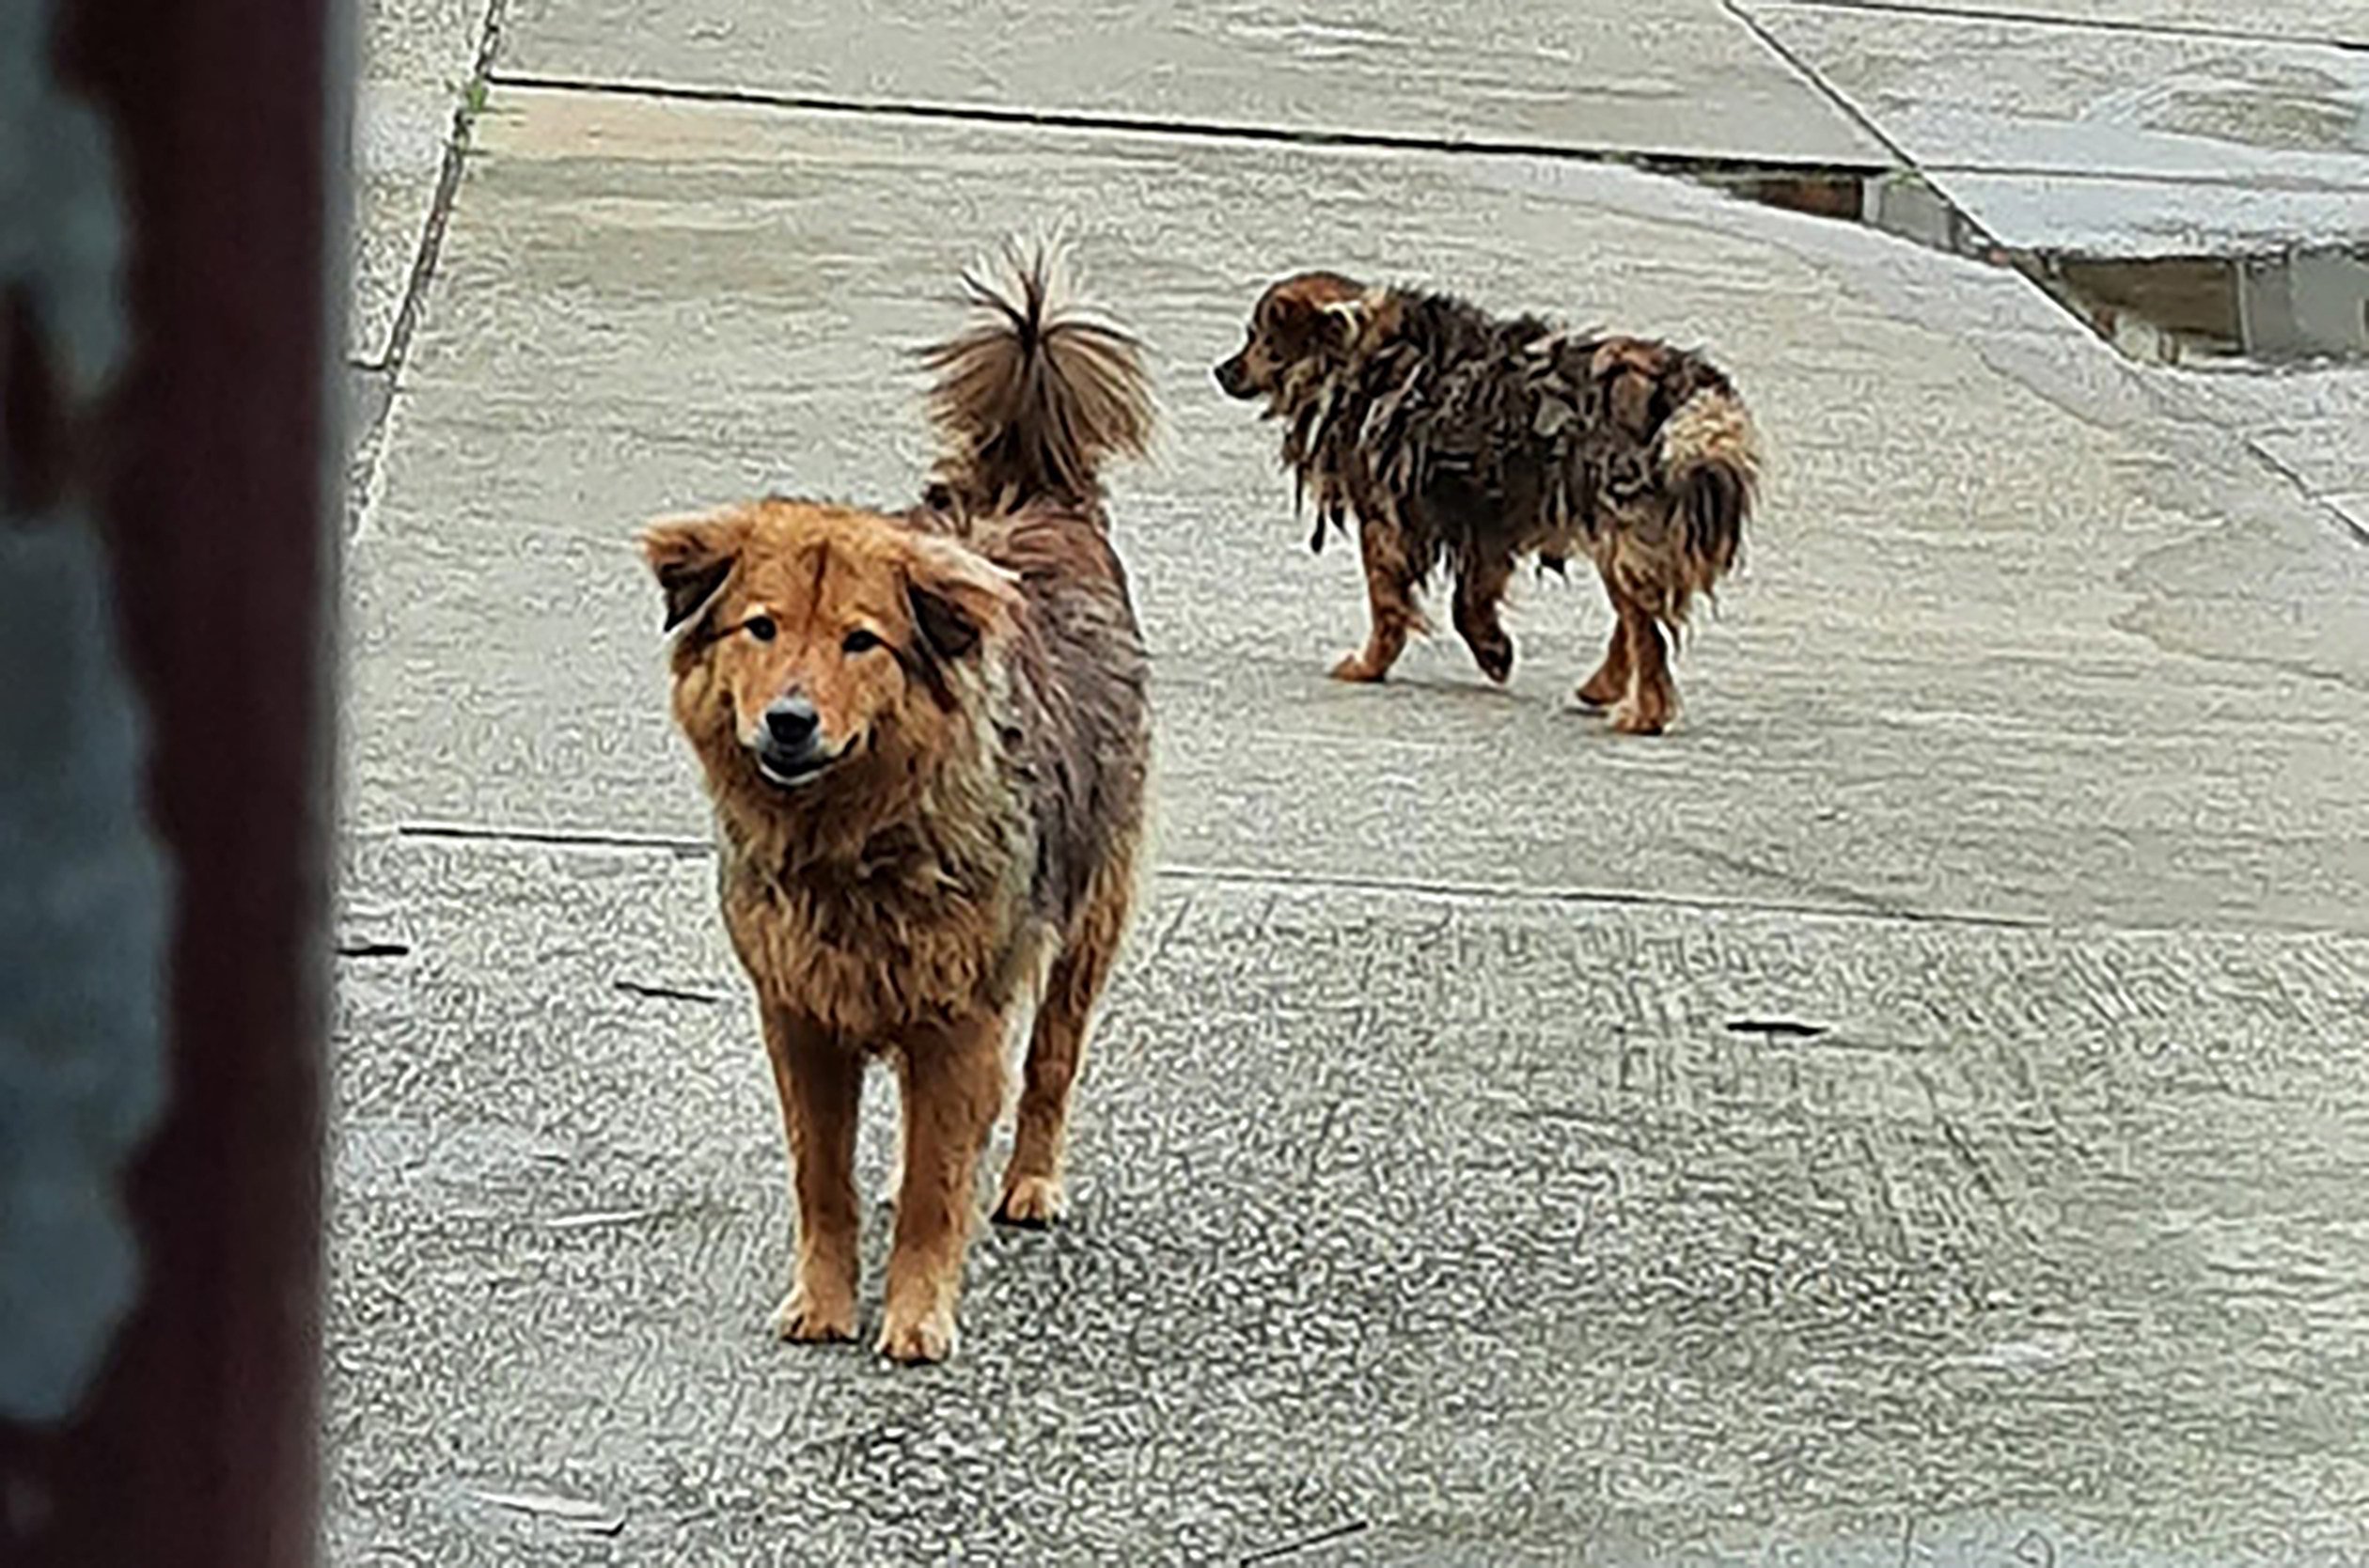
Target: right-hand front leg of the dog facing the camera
951,1084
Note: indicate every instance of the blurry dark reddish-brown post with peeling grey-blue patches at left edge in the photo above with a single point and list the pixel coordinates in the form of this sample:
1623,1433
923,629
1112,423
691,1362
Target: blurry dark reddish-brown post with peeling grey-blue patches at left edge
207,468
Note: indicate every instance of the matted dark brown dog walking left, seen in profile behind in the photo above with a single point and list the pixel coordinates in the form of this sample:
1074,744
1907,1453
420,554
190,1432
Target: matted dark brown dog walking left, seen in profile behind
1470,442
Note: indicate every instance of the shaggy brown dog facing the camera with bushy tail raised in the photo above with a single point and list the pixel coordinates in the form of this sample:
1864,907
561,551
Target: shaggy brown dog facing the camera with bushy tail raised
927,738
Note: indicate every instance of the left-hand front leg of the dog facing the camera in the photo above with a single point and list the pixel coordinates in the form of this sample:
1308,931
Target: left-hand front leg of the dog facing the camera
821,1084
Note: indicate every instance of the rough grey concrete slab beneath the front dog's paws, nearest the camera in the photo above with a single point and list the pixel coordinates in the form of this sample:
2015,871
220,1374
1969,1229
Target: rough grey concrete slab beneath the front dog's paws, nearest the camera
1463,1219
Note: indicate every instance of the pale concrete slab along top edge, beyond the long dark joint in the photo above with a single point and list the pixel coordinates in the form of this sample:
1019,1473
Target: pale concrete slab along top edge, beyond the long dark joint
1496,72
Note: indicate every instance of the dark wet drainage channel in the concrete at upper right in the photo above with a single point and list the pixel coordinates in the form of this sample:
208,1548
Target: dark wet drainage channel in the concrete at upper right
2297,307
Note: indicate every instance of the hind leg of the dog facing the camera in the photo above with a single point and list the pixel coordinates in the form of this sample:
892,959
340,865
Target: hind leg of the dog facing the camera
1058,1048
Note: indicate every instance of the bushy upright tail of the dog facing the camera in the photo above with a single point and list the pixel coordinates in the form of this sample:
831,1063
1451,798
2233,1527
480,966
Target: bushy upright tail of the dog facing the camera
1036,394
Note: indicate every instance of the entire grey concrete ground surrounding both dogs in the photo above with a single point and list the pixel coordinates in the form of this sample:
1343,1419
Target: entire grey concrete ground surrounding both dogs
1906,1117
